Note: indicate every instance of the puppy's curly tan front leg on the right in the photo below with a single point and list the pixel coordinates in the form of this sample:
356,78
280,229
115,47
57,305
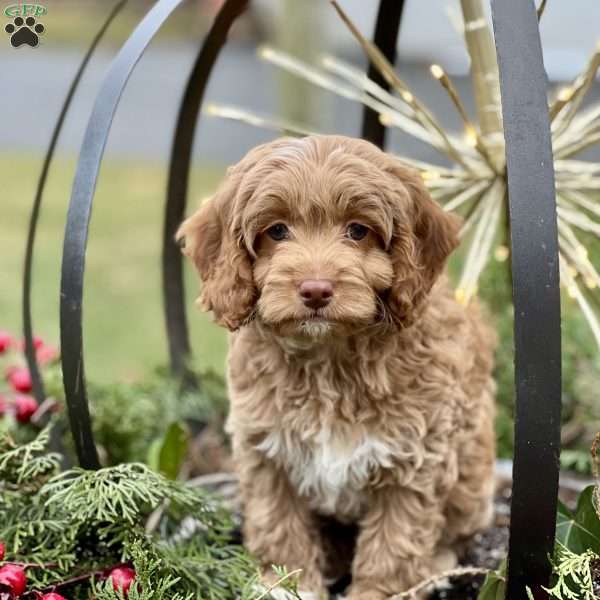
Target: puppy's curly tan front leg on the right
396,543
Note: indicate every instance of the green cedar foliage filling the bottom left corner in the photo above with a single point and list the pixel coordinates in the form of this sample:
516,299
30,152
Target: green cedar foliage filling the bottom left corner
72,527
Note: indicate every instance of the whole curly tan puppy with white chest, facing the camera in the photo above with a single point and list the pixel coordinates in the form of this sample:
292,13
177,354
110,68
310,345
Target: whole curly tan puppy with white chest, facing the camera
361,391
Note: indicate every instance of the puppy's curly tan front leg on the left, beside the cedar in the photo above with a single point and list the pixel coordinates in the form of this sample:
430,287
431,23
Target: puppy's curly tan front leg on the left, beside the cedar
278,526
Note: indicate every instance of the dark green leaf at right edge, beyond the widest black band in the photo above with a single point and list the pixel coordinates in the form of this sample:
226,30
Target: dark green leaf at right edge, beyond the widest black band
579,531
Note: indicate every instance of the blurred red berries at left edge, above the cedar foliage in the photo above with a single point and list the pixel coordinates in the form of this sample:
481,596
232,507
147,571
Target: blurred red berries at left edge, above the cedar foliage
18,401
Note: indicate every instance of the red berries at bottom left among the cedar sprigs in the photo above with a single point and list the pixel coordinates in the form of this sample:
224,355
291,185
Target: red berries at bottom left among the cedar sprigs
13,580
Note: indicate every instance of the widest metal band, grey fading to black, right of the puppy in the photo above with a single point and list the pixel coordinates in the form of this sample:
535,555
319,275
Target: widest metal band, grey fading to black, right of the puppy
535,270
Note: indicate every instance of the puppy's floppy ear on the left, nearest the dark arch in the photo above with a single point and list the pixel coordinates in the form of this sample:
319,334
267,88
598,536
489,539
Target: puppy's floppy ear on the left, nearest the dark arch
220,258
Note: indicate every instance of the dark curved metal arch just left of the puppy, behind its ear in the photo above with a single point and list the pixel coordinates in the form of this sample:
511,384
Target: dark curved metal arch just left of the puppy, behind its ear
178,181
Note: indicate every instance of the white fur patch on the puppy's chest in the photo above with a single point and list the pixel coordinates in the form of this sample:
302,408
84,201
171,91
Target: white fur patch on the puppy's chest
331,471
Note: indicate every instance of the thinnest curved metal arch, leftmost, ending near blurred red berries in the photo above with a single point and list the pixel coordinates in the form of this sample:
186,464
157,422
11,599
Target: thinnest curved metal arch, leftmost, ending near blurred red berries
30,355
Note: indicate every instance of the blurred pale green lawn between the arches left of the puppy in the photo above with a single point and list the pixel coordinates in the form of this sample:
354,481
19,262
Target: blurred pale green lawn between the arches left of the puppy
124,334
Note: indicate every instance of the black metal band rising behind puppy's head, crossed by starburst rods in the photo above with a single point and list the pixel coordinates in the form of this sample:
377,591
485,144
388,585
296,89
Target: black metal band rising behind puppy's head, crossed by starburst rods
387,29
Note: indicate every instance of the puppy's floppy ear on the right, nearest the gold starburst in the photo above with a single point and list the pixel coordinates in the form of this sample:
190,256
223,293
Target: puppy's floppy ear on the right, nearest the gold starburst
420,246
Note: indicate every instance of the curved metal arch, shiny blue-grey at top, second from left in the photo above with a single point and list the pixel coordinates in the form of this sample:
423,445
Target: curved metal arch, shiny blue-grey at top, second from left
77,227
